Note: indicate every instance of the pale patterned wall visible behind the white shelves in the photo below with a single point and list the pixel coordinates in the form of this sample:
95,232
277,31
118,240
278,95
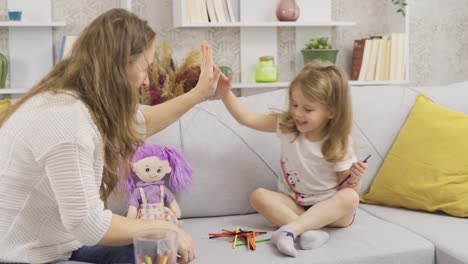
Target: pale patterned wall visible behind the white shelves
438,41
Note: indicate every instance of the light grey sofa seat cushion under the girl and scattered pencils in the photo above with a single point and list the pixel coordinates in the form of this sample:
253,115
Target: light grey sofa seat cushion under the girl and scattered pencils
368,240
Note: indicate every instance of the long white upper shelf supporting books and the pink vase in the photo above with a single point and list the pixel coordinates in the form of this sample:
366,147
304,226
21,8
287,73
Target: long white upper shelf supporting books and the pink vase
269,24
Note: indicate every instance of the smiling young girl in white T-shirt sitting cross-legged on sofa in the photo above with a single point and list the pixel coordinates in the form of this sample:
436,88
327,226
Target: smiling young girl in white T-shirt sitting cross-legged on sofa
316,154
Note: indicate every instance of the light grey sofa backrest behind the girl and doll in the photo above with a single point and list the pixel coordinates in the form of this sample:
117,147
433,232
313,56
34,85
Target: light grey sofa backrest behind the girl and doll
230,161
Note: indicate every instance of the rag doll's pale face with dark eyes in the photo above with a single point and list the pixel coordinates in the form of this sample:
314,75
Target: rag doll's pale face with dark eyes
151,169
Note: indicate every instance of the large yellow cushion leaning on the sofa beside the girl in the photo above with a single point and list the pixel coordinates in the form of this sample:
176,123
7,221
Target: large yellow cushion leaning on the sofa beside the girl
427,166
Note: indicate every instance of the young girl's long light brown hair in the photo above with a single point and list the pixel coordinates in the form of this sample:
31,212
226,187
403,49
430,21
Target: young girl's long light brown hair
327,84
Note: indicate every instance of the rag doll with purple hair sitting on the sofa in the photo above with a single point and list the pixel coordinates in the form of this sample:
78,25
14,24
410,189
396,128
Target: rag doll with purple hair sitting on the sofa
149,196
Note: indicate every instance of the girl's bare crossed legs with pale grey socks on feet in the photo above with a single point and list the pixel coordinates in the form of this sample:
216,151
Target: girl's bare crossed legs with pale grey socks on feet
294,220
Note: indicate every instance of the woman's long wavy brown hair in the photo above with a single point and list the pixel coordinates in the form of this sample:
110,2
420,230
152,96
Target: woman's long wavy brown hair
96,72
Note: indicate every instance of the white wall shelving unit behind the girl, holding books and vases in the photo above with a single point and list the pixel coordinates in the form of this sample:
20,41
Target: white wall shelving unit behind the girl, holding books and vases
258,34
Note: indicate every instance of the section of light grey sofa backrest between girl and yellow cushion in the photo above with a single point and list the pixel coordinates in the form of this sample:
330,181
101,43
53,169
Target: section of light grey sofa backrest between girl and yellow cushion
378,114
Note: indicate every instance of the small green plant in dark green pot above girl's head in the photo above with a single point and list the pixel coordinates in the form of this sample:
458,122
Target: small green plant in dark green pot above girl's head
319,48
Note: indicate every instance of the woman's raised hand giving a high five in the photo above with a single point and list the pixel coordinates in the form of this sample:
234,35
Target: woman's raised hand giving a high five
209,73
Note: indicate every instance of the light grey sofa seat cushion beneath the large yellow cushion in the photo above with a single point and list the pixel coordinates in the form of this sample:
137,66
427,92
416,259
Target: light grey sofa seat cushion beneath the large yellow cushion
447,233
